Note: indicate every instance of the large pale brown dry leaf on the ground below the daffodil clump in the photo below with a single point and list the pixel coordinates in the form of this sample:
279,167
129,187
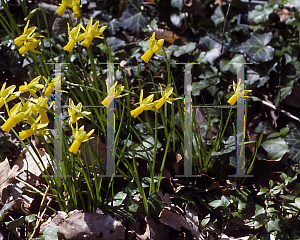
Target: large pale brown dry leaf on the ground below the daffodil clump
78,225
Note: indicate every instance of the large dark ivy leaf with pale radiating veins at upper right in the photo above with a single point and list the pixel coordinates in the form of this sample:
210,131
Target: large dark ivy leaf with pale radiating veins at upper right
256,47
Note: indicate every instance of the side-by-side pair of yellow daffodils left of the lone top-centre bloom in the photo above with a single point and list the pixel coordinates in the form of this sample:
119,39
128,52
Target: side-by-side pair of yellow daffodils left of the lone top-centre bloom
90,32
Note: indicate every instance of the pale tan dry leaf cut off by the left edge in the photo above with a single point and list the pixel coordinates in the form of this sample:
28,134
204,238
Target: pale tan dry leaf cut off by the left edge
8,174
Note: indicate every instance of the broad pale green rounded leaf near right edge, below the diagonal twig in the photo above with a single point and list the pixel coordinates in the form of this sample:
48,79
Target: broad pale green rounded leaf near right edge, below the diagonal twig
275,148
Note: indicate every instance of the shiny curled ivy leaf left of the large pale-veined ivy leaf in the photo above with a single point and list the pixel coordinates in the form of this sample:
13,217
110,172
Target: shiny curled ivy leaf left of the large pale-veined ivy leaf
213,47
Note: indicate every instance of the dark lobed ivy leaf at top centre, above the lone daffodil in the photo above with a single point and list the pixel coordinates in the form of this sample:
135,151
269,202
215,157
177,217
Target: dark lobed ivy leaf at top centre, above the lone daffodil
133,18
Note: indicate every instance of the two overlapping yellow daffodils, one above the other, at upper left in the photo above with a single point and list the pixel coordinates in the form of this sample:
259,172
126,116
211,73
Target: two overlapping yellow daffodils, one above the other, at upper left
29,39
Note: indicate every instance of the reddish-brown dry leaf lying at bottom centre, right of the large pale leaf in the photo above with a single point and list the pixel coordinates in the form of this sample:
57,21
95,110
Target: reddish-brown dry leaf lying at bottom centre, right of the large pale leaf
173,220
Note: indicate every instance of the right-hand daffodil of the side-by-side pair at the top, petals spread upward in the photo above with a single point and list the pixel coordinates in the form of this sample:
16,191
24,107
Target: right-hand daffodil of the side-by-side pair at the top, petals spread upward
91,31
